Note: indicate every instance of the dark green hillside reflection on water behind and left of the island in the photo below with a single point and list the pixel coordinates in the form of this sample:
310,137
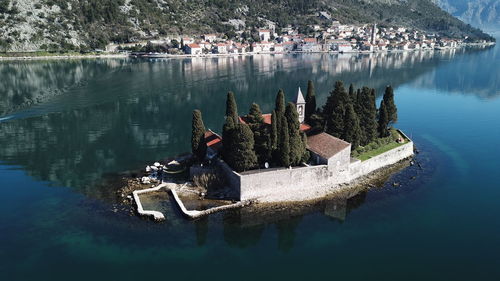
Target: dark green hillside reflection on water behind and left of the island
129,112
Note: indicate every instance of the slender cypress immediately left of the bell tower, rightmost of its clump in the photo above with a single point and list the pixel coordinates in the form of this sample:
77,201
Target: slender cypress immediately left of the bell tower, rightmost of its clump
296,147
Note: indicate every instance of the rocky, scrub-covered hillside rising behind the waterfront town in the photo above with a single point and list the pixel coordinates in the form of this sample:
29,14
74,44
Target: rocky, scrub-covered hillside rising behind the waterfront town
80,25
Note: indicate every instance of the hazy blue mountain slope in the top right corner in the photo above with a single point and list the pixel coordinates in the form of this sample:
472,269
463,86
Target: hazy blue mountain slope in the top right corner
481,13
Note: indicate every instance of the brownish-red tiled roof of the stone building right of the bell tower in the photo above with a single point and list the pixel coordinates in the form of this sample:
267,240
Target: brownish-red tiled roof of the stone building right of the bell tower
326,145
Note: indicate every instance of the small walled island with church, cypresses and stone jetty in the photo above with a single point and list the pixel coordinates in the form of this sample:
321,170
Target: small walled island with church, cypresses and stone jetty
296,153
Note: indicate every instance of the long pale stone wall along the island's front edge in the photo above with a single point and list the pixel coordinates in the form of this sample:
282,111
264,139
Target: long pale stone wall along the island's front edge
304,183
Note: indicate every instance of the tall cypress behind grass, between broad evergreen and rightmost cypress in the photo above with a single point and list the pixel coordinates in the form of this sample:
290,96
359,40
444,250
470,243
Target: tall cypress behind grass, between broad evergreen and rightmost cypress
368,116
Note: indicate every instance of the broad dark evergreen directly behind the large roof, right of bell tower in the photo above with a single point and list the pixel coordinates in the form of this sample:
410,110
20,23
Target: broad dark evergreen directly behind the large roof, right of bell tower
334,110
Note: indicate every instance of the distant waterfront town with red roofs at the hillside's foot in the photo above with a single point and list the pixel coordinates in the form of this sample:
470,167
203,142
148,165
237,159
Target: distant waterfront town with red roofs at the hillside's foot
337,37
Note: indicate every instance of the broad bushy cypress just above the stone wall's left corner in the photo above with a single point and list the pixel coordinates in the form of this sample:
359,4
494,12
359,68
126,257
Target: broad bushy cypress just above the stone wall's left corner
242,149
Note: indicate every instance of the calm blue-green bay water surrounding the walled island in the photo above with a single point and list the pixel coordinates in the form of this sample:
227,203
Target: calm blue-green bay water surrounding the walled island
66,125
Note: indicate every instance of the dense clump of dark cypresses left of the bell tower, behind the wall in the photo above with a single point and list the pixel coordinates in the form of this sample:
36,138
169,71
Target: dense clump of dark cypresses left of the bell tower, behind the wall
280,143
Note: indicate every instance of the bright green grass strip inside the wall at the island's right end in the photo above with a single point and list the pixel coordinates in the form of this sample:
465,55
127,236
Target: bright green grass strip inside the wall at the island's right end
378,146
